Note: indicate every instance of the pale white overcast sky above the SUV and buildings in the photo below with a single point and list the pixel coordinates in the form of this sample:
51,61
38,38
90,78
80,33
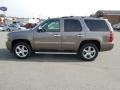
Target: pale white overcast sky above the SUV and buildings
56,8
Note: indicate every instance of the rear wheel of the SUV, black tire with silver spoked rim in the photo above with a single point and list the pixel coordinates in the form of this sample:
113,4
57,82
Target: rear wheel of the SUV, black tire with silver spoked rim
88,52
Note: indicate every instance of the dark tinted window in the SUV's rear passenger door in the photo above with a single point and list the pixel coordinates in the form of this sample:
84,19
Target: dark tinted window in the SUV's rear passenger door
71,25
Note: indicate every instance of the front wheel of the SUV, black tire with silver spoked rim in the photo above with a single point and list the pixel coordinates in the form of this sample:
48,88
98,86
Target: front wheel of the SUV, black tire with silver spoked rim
22,50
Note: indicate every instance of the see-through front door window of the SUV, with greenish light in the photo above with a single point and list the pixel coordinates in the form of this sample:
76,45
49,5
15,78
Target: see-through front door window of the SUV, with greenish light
51,26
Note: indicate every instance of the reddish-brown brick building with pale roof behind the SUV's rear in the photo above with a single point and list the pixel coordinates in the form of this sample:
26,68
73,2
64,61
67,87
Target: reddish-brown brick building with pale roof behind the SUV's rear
112,16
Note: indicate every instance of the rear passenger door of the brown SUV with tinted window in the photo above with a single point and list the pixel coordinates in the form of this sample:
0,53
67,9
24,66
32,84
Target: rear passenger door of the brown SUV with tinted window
72,35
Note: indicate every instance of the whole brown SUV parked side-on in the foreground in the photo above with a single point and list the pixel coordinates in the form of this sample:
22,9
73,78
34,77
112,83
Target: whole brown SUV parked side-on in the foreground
85,36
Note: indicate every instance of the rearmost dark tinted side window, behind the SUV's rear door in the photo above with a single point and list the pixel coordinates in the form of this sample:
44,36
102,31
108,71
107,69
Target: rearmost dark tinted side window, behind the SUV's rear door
97,25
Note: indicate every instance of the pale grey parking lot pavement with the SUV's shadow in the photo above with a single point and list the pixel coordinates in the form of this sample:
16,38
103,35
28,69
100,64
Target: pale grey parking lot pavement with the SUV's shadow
59,72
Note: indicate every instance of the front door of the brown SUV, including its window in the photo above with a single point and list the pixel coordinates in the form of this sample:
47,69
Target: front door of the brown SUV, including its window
49,37
